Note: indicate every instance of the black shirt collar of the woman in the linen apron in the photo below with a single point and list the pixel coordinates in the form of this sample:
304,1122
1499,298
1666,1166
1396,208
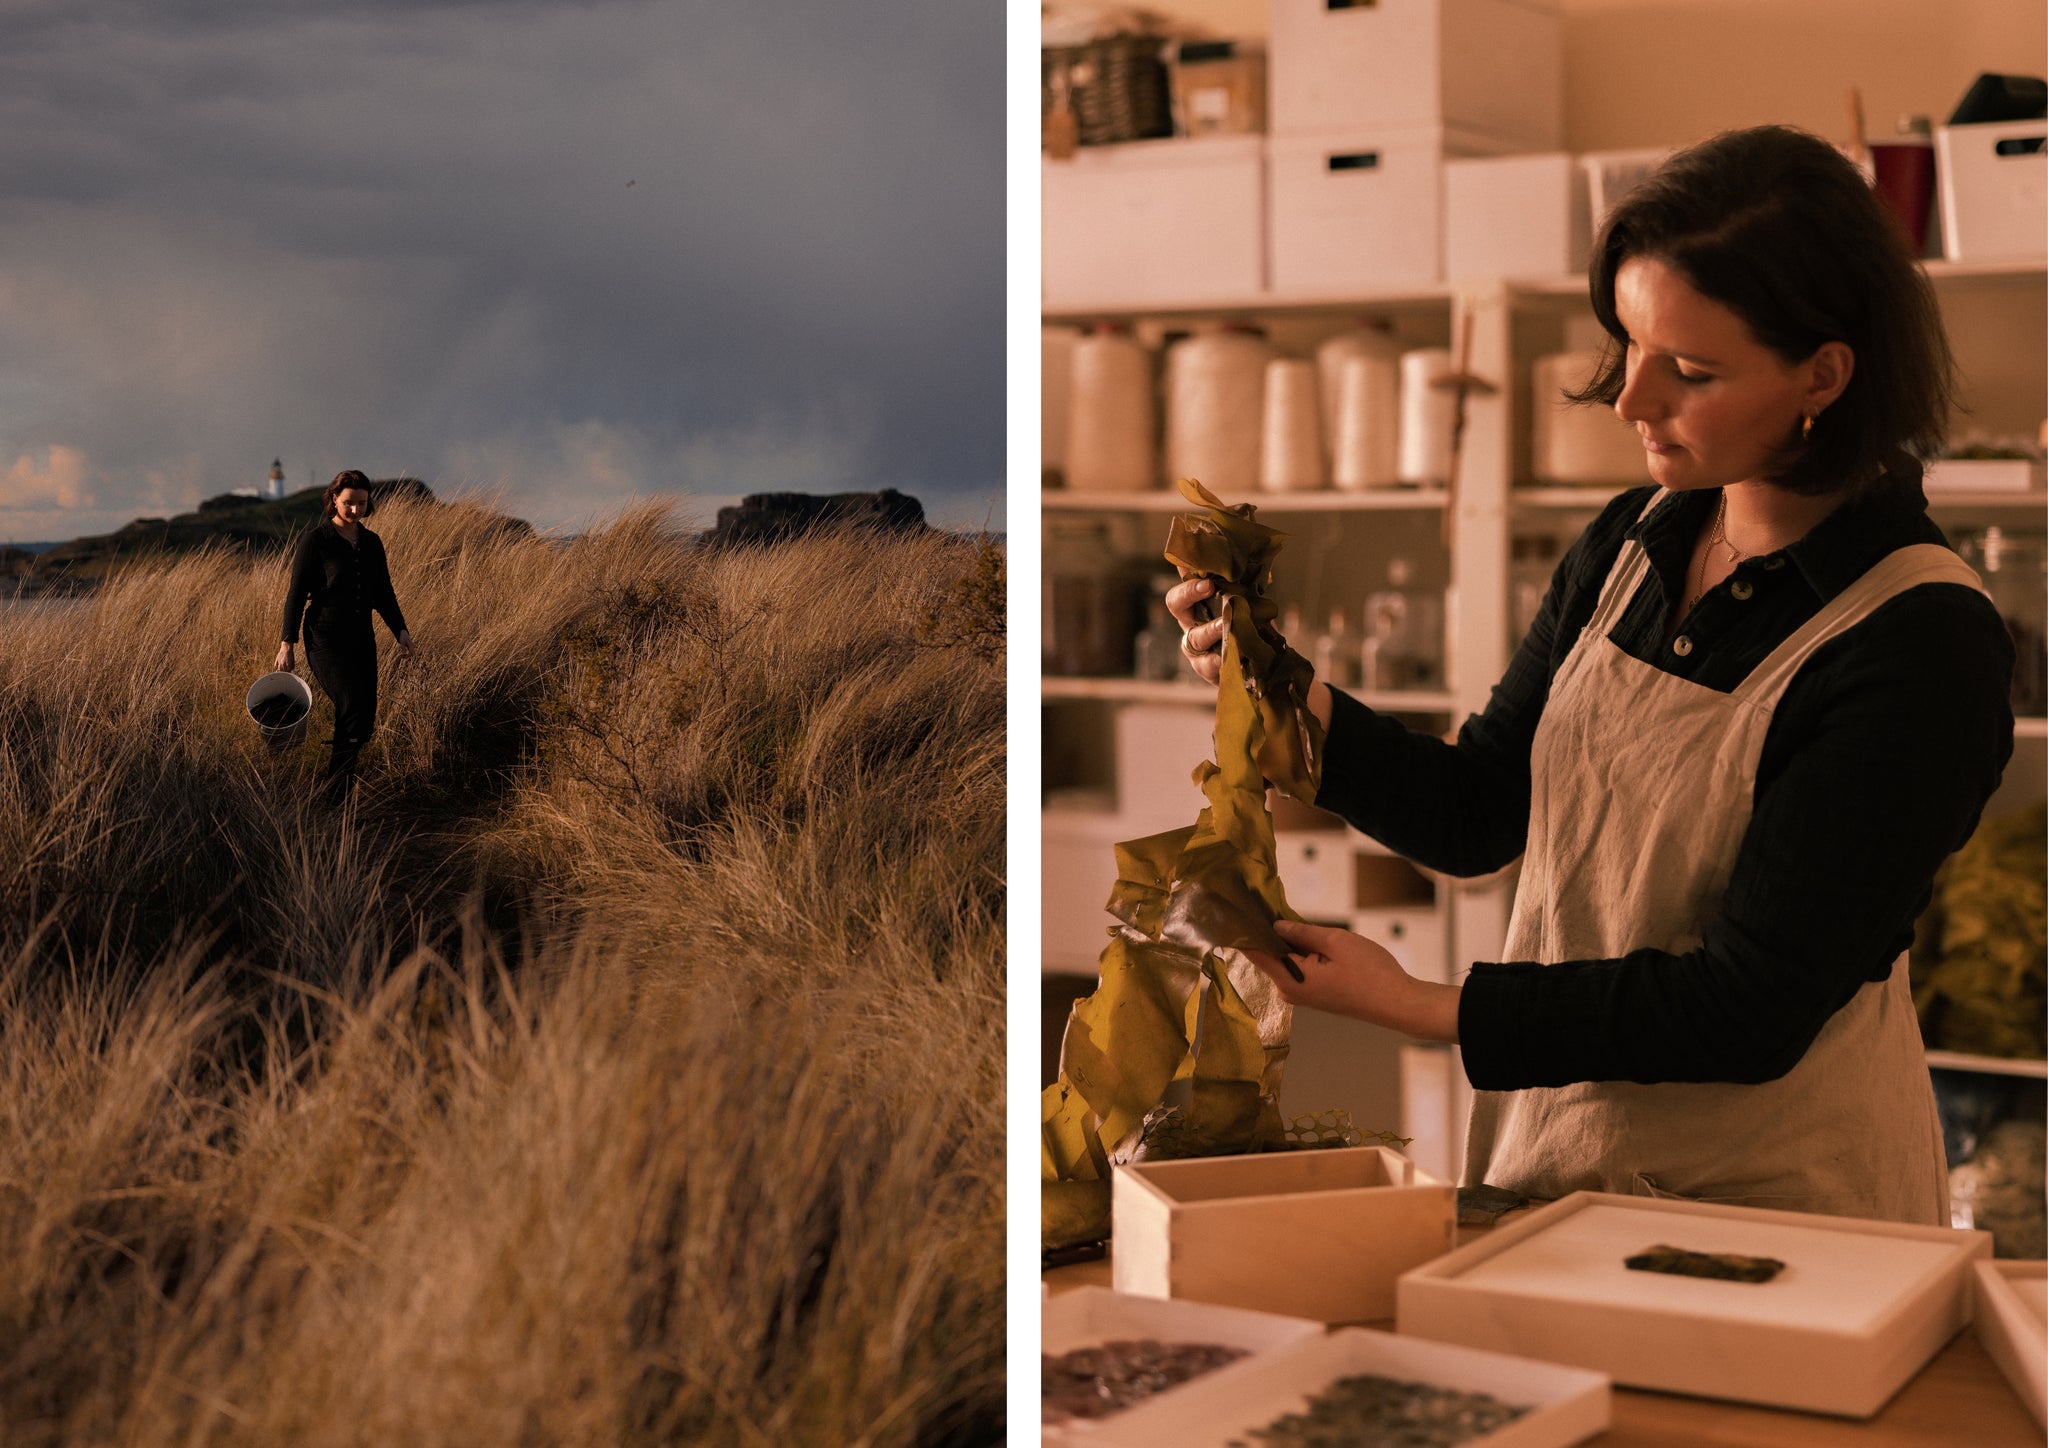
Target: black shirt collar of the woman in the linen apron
1834,554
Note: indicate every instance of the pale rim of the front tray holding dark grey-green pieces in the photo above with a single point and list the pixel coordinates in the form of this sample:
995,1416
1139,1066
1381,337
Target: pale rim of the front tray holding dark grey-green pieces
1568,1404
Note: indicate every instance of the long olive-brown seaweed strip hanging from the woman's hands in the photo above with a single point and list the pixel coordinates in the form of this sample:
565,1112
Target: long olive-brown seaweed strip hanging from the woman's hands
1181,1048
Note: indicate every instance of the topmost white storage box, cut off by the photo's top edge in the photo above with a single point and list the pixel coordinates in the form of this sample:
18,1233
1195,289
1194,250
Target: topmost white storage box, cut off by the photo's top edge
1490,67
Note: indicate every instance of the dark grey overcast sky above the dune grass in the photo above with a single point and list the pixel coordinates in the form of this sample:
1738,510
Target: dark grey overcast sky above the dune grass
574,251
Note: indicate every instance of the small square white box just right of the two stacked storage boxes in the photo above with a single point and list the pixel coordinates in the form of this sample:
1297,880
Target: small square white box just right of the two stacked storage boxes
1514,216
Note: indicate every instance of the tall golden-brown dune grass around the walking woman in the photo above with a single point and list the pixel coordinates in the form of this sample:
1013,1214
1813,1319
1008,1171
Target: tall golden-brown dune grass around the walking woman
622,1066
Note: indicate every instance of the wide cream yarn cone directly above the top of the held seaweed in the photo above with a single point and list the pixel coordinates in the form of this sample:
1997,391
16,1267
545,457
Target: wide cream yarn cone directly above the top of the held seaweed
1215,404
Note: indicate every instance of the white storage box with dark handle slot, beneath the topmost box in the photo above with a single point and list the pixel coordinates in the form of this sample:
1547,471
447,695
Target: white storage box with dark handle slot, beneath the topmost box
1359,212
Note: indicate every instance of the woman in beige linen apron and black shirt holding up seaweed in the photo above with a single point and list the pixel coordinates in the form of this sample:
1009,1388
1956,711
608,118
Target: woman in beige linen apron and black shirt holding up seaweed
1760,706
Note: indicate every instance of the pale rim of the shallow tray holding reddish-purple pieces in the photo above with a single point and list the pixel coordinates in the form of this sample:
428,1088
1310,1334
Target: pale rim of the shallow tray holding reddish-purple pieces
1091,1316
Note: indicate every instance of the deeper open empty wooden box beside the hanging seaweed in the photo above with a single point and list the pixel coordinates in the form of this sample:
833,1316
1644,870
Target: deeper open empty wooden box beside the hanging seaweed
1308,1234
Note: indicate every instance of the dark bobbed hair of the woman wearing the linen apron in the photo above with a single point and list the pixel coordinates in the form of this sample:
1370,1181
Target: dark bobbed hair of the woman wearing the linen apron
1779,228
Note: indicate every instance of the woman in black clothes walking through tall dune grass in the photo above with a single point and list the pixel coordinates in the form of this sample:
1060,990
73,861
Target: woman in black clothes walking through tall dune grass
341,572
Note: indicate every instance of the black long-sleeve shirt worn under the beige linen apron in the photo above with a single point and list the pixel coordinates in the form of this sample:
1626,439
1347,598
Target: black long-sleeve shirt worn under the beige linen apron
1875,767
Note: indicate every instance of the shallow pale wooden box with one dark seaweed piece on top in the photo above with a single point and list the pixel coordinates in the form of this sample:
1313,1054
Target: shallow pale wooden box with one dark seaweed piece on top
1859,1310
